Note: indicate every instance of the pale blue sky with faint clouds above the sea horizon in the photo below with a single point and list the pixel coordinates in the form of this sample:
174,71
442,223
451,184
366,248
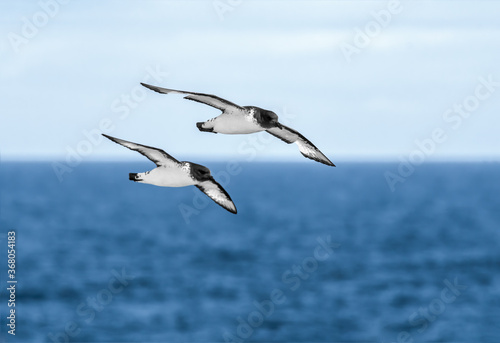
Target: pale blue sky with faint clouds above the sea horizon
283,56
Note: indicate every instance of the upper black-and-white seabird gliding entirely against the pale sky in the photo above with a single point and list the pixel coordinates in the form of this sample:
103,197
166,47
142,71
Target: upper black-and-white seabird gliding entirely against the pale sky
237,119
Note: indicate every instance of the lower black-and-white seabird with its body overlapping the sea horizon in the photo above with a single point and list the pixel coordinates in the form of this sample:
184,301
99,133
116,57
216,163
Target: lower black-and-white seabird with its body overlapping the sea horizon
172,173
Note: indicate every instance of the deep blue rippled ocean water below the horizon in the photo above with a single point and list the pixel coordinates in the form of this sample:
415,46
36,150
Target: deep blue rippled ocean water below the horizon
315,254
